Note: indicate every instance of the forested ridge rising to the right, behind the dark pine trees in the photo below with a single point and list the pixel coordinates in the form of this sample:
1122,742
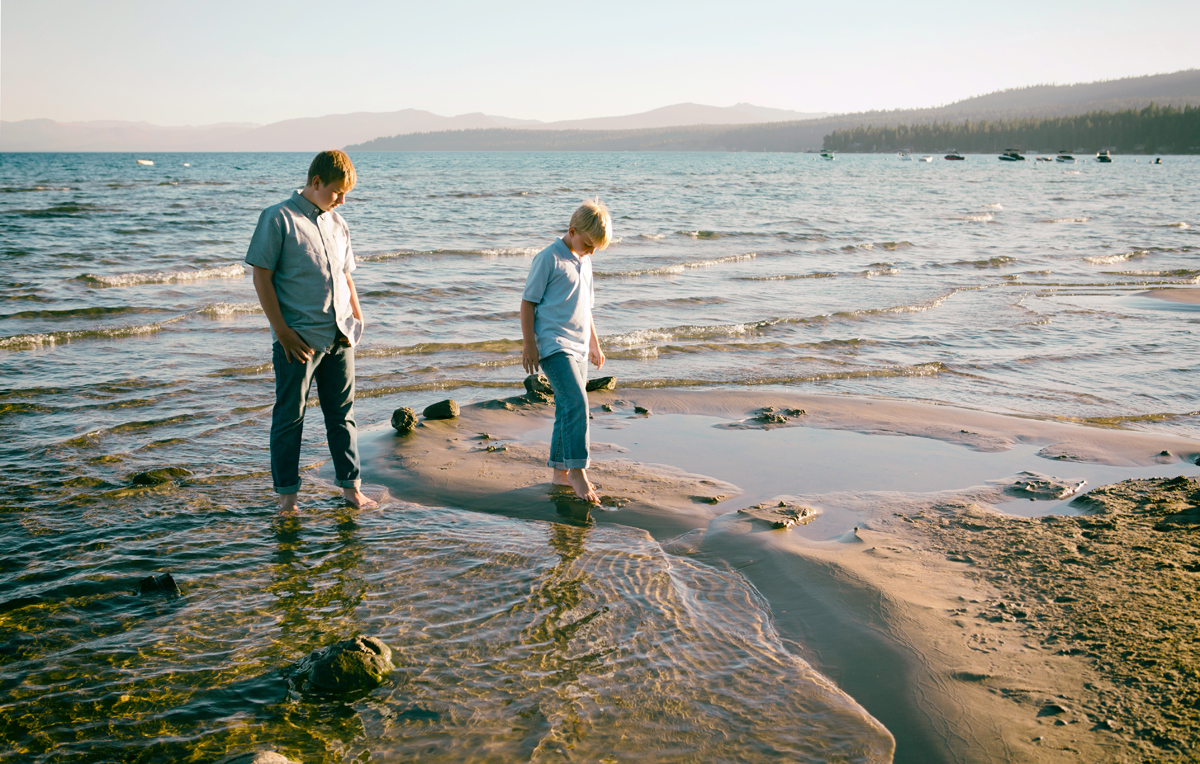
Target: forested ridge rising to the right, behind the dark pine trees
1178,89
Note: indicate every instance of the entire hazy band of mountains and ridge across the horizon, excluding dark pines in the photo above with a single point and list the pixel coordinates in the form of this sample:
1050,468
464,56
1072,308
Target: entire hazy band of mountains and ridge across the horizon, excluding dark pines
680,128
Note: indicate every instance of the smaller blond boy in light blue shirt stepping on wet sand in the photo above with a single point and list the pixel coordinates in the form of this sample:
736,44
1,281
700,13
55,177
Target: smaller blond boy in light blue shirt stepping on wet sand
560,335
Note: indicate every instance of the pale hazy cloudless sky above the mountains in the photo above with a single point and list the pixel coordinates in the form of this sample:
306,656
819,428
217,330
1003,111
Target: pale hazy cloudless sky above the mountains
190,63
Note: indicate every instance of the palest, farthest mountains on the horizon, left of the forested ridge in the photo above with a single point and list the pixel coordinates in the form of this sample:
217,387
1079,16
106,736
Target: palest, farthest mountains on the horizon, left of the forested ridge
340,130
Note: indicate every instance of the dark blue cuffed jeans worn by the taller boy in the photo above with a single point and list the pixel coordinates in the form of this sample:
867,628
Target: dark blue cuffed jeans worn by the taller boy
334,375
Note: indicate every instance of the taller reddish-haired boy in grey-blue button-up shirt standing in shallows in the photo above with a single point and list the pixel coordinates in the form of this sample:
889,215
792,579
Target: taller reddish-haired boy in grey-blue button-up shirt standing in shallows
303,261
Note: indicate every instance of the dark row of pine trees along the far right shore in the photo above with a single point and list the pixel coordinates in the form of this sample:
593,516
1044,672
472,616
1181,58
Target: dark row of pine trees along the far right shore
1153,130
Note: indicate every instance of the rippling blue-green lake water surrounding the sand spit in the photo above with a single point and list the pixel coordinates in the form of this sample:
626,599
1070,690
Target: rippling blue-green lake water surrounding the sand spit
133,341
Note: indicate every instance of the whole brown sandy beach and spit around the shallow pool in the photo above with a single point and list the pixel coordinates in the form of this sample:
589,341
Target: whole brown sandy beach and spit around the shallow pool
971,635
